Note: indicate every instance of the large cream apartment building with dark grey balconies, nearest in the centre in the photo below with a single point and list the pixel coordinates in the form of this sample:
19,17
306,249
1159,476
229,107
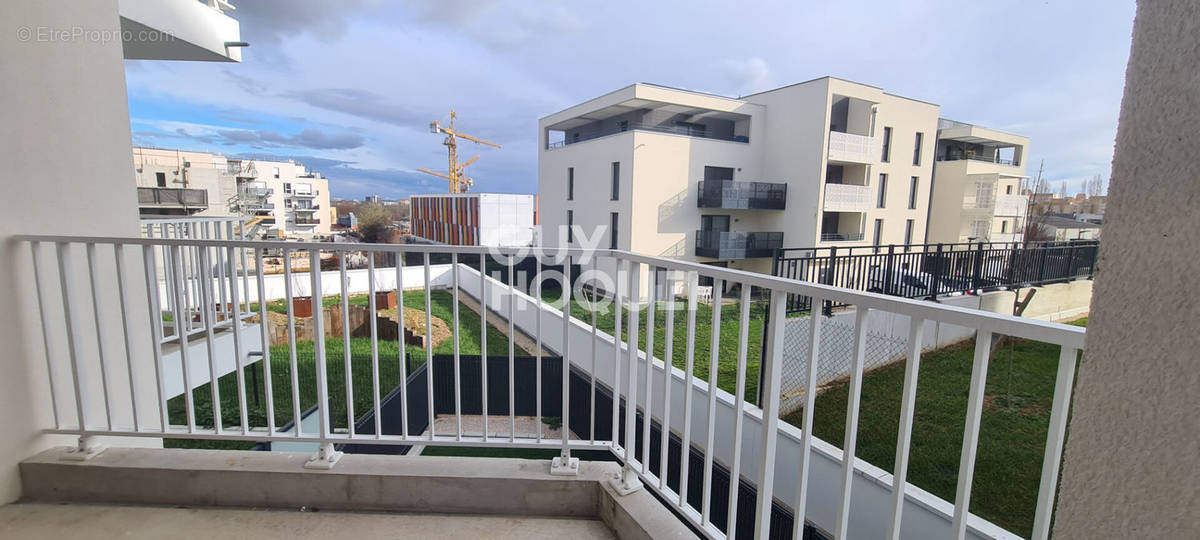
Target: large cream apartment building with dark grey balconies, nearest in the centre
722,181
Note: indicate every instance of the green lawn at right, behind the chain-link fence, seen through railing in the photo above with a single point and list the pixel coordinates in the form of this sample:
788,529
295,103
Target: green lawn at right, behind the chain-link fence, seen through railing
1012,439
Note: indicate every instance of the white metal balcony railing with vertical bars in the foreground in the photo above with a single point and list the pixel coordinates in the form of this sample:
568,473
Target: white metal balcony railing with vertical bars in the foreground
647,386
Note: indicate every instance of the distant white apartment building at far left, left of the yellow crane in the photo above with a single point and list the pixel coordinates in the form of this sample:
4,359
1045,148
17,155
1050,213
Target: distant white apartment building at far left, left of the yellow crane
285,197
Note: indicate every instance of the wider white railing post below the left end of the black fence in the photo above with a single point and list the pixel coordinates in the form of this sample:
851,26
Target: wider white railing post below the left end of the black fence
772,371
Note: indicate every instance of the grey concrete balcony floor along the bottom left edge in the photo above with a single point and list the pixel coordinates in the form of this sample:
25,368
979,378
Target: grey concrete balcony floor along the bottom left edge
98,521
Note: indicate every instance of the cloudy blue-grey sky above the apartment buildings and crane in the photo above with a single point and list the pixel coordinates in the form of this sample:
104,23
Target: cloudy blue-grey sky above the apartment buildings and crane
350,87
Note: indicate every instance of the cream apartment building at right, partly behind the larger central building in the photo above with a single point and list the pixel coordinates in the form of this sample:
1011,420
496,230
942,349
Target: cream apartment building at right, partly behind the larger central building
977,185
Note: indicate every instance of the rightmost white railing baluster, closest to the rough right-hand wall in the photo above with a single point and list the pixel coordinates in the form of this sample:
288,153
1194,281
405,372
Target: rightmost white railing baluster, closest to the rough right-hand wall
1055,436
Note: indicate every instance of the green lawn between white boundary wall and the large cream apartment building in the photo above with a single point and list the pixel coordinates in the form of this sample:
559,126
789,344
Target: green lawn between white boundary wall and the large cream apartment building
728,351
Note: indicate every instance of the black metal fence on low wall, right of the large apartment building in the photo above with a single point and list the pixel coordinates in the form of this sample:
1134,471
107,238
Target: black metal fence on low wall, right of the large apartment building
931,271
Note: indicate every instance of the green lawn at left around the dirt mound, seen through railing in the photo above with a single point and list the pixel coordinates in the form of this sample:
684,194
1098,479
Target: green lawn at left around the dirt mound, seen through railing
442,304
